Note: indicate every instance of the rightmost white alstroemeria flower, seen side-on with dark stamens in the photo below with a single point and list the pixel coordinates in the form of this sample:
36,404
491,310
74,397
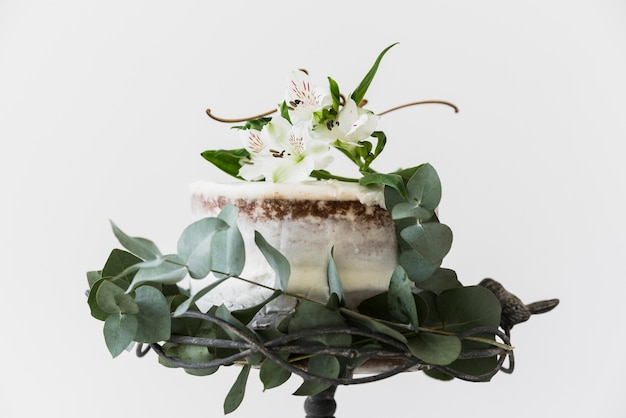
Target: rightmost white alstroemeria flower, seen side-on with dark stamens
353,124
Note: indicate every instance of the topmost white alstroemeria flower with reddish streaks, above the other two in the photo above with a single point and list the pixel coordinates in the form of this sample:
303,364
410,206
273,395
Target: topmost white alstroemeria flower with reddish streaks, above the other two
304,99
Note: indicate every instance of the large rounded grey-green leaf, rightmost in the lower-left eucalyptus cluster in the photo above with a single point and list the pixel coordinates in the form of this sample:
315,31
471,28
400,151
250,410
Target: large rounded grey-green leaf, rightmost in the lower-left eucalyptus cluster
154,322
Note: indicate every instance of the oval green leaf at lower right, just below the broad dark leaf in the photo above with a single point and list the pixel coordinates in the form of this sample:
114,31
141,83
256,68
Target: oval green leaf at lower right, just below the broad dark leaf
435,348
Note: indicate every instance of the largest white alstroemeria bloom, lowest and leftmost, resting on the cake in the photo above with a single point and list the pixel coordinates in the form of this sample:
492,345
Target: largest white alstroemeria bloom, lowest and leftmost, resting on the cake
282,152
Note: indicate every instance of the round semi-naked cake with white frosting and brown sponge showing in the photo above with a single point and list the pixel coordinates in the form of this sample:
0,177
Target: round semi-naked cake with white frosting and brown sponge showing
305,222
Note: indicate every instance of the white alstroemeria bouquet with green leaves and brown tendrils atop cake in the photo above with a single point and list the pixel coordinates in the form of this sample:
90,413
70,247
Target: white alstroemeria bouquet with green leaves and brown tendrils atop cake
312,125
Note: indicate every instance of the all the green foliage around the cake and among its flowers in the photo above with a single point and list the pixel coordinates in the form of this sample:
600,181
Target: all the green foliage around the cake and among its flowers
141,296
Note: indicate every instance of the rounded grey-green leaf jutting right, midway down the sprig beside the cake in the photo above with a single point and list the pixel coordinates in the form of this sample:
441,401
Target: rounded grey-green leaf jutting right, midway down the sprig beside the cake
432,240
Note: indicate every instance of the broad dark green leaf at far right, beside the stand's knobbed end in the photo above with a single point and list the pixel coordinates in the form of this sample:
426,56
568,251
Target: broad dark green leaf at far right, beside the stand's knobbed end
464,308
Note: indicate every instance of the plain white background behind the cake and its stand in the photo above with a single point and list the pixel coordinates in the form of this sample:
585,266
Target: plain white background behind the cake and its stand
102,117
